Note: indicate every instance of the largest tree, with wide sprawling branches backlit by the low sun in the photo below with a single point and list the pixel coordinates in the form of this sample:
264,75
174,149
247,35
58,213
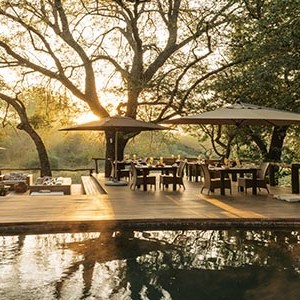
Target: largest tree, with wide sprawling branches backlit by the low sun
160,50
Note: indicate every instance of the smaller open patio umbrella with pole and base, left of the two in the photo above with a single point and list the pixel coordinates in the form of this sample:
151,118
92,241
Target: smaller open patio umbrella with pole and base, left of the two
116,124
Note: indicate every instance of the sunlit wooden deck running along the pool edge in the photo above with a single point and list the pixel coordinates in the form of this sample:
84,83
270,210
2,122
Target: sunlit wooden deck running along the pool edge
154,209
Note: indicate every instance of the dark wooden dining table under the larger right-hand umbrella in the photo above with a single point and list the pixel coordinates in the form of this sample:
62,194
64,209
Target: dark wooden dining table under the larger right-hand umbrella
237,170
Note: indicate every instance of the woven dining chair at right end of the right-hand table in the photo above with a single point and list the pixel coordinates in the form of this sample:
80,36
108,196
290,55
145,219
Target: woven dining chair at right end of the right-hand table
261,180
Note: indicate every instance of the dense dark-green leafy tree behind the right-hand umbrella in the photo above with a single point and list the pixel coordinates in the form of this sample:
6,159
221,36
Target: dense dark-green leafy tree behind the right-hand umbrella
267,44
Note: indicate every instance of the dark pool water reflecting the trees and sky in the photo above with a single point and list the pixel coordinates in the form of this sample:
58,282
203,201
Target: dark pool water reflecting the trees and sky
187,264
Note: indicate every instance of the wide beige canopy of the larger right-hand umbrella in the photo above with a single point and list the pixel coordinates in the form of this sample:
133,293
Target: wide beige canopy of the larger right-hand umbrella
241,114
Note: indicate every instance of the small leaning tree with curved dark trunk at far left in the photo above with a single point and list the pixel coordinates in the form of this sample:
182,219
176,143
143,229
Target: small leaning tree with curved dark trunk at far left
38,109
